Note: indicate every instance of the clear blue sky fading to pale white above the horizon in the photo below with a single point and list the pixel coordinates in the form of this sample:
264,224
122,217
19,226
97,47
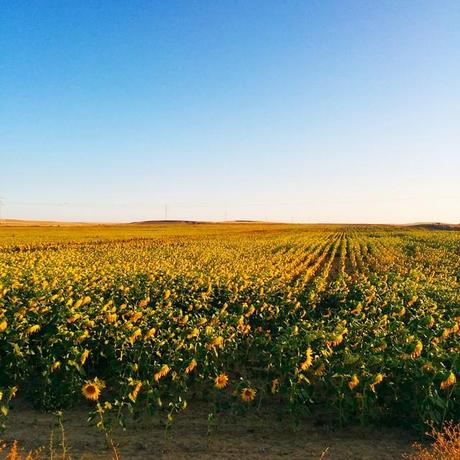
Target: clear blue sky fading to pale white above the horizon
327,111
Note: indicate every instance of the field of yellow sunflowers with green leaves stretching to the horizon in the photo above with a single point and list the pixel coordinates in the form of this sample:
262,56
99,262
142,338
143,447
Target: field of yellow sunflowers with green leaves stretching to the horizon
360,322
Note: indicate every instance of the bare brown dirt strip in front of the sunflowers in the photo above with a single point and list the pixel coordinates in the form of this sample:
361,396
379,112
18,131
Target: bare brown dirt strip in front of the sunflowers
255,436
